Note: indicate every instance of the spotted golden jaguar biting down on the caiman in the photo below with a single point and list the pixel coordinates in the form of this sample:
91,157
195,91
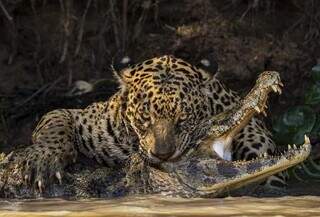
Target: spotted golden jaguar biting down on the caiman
157,112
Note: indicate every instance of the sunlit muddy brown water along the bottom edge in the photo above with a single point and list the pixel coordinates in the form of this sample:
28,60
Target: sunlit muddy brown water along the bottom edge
164,206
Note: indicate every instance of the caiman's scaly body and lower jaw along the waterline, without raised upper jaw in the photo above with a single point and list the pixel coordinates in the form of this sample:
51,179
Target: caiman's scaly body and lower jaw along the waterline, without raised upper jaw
192,177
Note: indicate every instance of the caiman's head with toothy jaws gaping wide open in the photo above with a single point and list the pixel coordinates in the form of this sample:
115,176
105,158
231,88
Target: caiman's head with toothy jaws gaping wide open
202,177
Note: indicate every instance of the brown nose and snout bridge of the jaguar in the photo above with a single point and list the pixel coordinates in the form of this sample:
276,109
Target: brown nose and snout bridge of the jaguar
164,145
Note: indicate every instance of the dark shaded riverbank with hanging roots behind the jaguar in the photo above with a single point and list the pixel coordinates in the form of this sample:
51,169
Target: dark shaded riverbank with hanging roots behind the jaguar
47,45
